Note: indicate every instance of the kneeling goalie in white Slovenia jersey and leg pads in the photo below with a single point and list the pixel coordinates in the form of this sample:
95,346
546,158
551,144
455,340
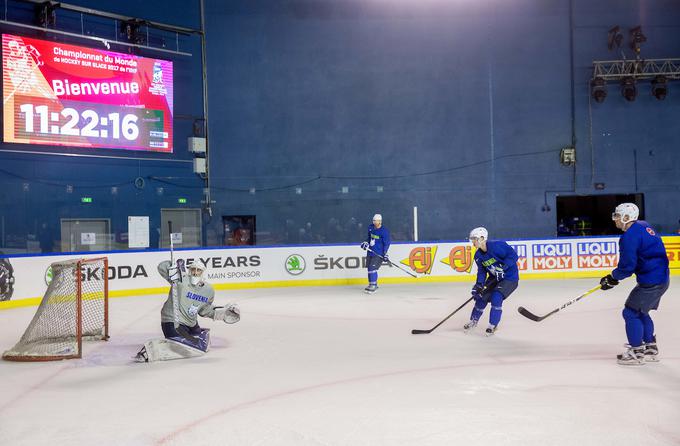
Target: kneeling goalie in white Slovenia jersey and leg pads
184,338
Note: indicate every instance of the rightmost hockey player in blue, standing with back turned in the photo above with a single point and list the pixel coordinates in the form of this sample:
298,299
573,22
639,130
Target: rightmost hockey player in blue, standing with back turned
641,252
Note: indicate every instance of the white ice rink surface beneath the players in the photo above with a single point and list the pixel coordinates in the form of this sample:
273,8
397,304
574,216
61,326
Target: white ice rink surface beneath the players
334,366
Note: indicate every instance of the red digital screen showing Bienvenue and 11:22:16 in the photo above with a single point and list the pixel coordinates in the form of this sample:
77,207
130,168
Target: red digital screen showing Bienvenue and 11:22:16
66,95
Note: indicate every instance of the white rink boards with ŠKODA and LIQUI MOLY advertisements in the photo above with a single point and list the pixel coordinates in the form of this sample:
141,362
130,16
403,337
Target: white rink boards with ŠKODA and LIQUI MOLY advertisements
134,272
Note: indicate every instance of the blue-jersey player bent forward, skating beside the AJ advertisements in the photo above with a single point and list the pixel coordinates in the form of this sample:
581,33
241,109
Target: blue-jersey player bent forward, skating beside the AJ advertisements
497,278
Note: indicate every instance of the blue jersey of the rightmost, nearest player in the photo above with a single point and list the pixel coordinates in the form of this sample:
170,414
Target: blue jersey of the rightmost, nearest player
641,251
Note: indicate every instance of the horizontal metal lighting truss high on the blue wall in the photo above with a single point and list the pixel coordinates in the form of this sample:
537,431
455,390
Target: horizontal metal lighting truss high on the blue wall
641,69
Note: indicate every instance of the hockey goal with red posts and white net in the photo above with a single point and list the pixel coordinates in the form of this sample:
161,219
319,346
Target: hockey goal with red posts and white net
74,308
